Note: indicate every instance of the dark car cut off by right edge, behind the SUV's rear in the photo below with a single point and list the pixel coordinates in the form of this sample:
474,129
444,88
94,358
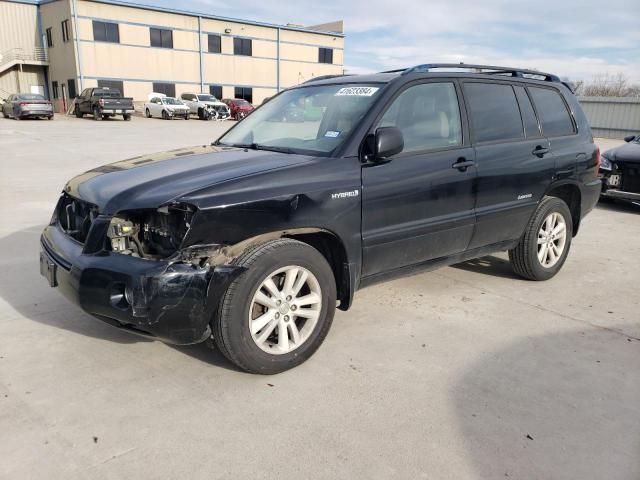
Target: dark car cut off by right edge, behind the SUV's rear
620,171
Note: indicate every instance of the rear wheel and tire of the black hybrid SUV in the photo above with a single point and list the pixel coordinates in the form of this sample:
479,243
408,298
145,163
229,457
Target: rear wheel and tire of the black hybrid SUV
544,247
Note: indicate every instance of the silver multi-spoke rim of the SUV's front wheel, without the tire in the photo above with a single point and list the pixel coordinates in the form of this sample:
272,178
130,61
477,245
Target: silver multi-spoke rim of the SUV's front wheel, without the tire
285,310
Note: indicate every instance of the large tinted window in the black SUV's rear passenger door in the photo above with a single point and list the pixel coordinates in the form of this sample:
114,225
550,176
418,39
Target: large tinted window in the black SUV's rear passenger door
494,112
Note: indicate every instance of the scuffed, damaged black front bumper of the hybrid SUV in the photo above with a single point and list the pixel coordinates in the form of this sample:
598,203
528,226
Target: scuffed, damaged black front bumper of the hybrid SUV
171,301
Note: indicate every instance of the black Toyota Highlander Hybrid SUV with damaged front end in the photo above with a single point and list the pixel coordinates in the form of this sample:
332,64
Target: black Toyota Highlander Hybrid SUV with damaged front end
253,241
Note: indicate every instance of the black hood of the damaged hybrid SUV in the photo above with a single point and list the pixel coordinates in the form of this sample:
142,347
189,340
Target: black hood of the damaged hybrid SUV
153,180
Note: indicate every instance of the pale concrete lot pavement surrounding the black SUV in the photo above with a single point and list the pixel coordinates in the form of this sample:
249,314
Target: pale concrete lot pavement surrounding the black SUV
463,373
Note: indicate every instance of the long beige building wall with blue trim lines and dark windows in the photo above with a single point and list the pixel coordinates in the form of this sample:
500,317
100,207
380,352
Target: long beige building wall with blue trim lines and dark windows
137,64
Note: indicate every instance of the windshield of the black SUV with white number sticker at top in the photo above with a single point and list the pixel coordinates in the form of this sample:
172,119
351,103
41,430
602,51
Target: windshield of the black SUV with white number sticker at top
312,120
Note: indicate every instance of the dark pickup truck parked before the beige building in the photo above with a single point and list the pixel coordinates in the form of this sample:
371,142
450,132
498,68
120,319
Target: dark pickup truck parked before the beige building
103,103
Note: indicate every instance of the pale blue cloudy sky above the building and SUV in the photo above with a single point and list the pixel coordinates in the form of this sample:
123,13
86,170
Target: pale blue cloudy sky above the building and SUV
575,39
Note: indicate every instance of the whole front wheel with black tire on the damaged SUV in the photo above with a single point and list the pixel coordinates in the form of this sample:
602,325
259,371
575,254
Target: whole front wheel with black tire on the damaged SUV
277,313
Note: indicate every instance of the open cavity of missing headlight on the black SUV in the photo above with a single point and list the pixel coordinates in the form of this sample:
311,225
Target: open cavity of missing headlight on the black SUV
153,234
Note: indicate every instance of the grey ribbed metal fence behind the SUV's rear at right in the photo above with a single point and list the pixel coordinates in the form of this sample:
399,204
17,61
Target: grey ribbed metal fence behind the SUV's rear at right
612,117
